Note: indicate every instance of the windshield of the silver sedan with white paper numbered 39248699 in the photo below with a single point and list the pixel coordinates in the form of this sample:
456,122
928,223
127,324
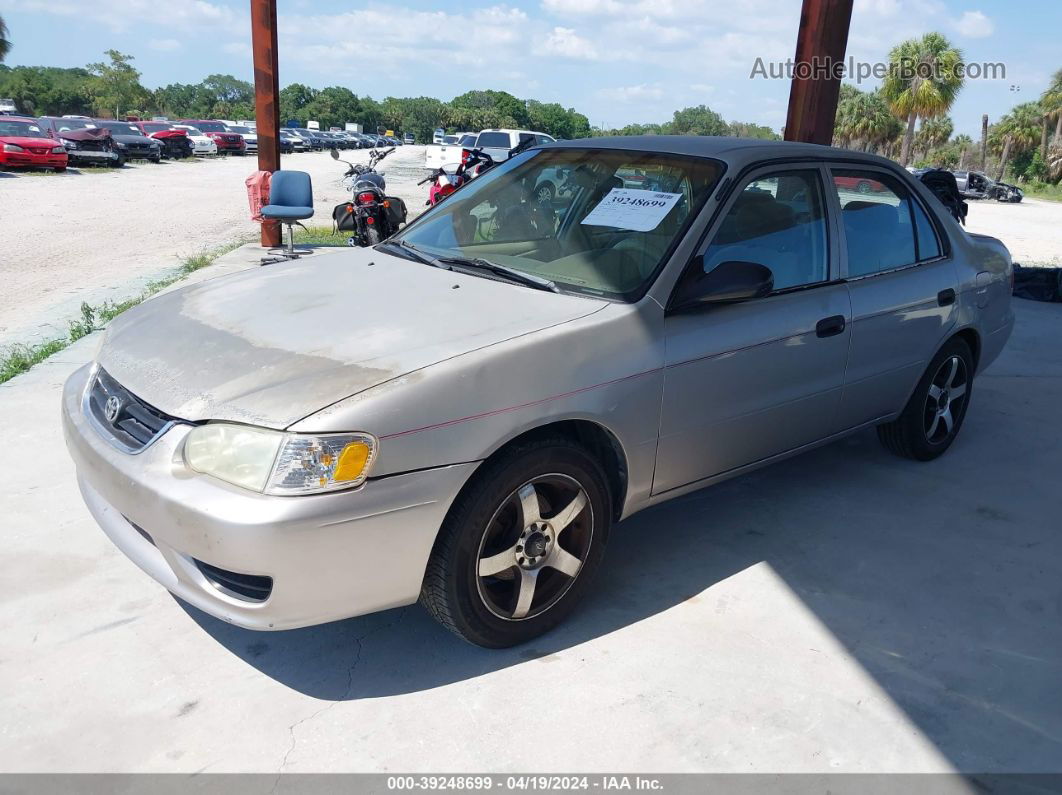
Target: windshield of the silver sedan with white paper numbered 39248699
594,221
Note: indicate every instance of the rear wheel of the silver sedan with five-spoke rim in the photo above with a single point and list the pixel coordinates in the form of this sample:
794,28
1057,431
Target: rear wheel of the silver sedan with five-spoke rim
926,430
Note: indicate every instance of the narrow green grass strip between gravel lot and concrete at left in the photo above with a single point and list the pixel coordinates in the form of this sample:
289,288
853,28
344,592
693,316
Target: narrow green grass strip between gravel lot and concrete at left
19,359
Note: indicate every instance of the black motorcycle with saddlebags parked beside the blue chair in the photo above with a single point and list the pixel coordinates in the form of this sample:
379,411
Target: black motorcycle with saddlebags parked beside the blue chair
371,215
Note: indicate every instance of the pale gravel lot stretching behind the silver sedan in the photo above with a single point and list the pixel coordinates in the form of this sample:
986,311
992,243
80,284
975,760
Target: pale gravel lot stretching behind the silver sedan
101,236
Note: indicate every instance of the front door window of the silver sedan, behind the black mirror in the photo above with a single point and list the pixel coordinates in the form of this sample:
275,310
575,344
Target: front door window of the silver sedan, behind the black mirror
779,221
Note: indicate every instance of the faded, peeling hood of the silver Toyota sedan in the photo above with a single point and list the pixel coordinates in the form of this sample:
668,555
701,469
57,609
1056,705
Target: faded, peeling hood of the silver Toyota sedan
272,345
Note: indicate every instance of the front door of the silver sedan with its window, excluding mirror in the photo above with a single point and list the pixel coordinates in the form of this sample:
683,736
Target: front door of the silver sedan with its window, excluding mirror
747,382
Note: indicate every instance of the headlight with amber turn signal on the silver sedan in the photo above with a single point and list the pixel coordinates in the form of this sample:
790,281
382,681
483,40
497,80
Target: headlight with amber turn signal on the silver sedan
280,463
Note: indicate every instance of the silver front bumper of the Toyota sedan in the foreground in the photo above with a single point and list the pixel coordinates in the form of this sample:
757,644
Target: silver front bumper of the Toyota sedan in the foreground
331,557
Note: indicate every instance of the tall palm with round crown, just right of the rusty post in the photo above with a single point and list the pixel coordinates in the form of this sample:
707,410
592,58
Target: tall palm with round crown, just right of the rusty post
923,81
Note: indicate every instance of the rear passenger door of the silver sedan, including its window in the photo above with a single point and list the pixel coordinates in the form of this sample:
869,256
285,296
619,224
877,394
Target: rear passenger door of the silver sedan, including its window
903,287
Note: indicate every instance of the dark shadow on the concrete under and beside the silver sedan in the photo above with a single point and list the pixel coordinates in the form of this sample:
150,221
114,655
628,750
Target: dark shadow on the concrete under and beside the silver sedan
941,580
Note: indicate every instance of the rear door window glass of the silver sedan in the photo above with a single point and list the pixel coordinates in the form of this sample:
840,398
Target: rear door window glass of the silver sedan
877,212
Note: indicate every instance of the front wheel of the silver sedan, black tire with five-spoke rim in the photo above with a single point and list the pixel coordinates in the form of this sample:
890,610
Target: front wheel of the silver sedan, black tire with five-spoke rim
494,576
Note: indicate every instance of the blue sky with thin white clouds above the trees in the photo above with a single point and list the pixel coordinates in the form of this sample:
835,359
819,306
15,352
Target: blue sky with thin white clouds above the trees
616,61
